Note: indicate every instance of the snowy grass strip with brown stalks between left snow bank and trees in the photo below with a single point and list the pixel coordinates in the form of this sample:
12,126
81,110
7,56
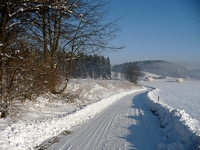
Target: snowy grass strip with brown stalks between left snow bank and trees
79,93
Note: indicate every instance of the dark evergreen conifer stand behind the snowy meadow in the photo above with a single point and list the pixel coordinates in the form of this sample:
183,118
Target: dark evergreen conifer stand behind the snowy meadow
91,66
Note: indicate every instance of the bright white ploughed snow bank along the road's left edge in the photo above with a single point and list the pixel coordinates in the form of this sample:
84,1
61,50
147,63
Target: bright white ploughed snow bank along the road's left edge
29,134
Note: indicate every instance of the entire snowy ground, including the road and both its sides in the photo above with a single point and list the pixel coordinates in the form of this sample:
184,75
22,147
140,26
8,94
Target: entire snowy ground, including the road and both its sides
135,120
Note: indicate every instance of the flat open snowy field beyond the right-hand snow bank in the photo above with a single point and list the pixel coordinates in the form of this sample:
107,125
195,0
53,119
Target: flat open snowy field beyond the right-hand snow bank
184,95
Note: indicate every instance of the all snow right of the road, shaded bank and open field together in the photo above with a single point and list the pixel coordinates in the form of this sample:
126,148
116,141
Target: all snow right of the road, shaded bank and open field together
177,106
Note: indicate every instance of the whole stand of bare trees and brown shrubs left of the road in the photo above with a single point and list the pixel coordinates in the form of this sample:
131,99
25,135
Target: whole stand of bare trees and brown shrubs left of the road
37,37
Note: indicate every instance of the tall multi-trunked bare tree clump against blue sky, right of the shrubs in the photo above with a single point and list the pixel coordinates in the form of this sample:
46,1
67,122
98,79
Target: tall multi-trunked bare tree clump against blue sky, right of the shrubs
70,27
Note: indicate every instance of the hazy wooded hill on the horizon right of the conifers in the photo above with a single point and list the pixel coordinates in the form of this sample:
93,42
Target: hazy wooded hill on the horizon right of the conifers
159,67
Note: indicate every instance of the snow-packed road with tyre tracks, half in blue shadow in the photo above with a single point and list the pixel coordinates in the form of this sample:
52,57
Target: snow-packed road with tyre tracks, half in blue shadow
127,124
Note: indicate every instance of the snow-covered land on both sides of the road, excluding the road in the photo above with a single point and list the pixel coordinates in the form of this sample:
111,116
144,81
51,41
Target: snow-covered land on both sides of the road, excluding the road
53,115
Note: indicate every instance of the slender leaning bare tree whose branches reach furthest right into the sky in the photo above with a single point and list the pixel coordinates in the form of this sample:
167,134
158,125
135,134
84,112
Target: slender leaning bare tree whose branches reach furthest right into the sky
89,31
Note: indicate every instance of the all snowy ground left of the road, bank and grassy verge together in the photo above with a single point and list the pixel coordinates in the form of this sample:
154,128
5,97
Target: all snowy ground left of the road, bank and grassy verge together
53,115
